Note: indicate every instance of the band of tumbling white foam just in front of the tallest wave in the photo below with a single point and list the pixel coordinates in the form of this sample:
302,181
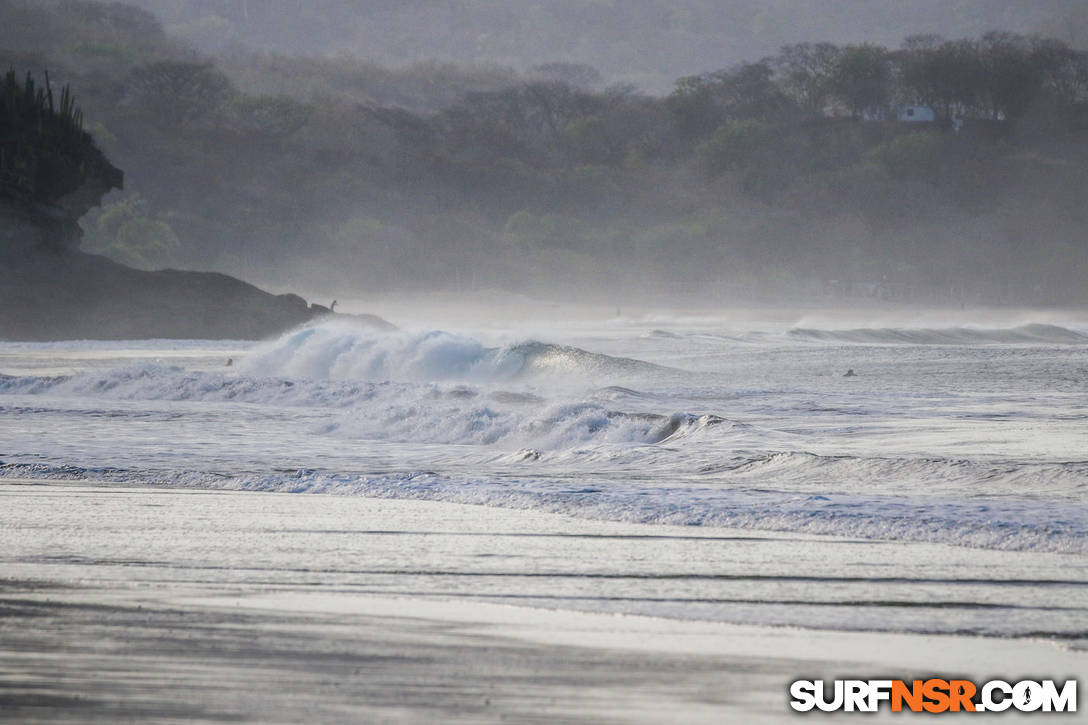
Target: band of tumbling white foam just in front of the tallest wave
395,412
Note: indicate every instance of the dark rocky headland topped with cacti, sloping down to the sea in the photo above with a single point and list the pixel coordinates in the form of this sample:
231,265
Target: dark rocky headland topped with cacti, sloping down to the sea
52,174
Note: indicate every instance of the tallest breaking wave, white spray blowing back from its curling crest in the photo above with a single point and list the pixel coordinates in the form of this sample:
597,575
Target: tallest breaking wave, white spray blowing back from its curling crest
343,352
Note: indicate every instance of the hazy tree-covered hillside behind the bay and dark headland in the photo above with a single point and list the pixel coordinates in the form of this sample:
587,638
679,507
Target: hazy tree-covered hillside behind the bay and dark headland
795,174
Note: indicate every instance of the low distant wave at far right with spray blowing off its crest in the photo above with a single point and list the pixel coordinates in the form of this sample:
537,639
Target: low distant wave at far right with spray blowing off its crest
1034,334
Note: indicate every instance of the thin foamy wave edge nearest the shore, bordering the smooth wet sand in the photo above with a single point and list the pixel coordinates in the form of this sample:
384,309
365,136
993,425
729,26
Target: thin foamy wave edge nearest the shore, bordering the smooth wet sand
979,523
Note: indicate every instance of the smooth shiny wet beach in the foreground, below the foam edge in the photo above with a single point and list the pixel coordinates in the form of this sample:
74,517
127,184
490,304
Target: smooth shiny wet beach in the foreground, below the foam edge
144,605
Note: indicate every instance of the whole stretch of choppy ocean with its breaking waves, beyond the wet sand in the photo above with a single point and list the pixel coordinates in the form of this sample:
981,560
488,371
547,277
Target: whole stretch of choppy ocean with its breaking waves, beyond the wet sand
972,436
